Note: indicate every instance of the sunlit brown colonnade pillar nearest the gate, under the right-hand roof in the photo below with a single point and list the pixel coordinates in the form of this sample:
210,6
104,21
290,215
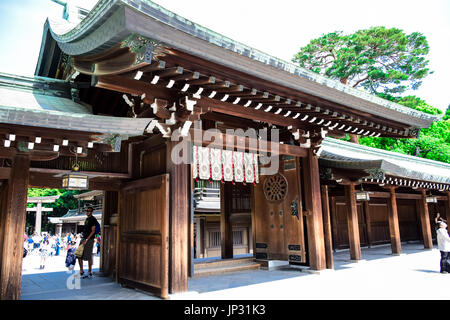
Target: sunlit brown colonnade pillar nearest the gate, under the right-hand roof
352,222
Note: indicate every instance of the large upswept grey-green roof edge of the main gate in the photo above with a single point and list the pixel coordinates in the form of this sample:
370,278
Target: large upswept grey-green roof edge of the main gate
110,22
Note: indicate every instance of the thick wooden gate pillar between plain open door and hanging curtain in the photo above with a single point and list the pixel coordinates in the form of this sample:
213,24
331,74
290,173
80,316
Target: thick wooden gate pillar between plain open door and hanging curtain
179,220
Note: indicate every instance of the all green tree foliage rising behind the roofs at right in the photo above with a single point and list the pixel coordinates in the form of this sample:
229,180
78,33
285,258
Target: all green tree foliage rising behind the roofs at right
385,62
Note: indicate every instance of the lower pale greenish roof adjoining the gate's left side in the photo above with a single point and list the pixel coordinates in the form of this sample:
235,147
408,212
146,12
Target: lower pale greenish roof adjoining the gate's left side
47,103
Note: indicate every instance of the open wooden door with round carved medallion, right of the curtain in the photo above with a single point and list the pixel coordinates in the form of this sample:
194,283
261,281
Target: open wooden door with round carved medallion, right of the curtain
279,232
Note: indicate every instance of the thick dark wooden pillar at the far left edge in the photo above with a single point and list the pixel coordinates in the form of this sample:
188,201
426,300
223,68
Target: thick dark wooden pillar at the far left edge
13,217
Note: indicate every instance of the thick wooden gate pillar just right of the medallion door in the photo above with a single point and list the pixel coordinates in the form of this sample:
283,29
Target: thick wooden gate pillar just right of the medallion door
313,208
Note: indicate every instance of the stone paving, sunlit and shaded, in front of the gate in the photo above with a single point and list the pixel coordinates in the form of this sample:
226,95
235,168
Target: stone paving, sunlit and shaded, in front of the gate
412,275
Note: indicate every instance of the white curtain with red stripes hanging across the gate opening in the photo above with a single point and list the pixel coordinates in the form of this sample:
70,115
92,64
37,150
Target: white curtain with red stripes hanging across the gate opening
224,165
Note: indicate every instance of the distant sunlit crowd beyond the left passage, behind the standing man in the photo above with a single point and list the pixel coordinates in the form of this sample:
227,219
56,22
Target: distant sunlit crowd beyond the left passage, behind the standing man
47,245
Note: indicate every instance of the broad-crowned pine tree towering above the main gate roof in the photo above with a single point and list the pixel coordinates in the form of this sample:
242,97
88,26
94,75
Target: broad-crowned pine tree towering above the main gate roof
378,59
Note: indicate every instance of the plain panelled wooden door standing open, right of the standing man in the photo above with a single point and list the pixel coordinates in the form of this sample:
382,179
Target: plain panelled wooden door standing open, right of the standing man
144,234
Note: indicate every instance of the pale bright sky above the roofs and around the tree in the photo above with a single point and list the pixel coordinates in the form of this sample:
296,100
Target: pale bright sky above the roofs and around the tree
278,28
